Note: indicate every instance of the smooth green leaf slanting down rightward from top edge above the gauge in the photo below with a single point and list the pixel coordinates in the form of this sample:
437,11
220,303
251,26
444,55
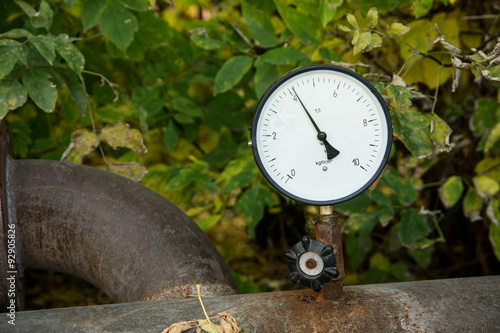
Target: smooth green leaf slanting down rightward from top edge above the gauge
305,27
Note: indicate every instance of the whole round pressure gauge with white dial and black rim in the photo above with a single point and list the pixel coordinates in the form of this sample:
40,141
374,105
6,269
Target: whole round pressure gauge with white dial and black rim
321,134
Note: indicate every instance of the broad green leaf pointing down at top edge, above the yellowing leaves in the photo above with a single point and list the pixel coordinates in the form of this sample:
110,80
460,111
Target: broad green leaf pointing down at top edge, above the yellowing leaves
119,25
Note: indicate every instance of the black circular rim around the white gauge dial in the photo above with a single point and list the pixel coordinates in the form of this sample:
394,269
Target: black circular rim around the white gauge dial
285,78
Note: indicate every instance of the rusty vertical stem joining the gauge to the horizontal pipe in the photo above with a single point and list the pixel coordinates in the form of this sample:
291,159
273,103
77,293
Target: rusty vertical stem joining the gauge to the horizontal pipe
328,231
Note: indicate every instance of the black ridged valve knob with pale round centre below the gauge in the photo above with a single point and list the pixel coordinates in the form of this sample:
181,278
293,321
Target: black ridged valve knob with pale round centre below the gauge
311,263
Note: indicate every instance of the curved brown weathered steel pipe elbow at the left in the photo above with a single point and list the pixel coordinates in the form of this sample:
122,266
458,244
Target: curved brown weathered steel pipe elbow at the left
122,237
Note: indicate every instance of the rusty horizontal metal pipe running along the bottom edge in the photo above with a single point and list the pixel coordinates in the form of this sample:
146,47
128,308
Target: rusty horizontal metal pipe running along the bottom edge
455,305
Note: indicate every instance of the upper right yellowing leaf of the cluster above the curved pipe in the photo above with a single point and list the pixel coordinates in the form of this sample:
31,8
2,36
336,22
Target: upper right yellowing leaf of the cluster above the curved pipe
121,135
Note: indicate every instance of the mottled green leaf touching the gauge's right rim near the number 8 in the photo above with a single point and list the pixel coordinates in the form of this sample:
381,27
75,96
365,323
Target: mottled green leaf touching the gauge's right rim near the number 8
412,128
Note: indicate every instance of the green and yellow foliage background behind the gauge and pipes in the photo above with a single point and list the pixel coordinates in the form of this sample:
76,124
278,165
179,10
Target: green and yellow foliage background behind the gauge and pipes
164,92
